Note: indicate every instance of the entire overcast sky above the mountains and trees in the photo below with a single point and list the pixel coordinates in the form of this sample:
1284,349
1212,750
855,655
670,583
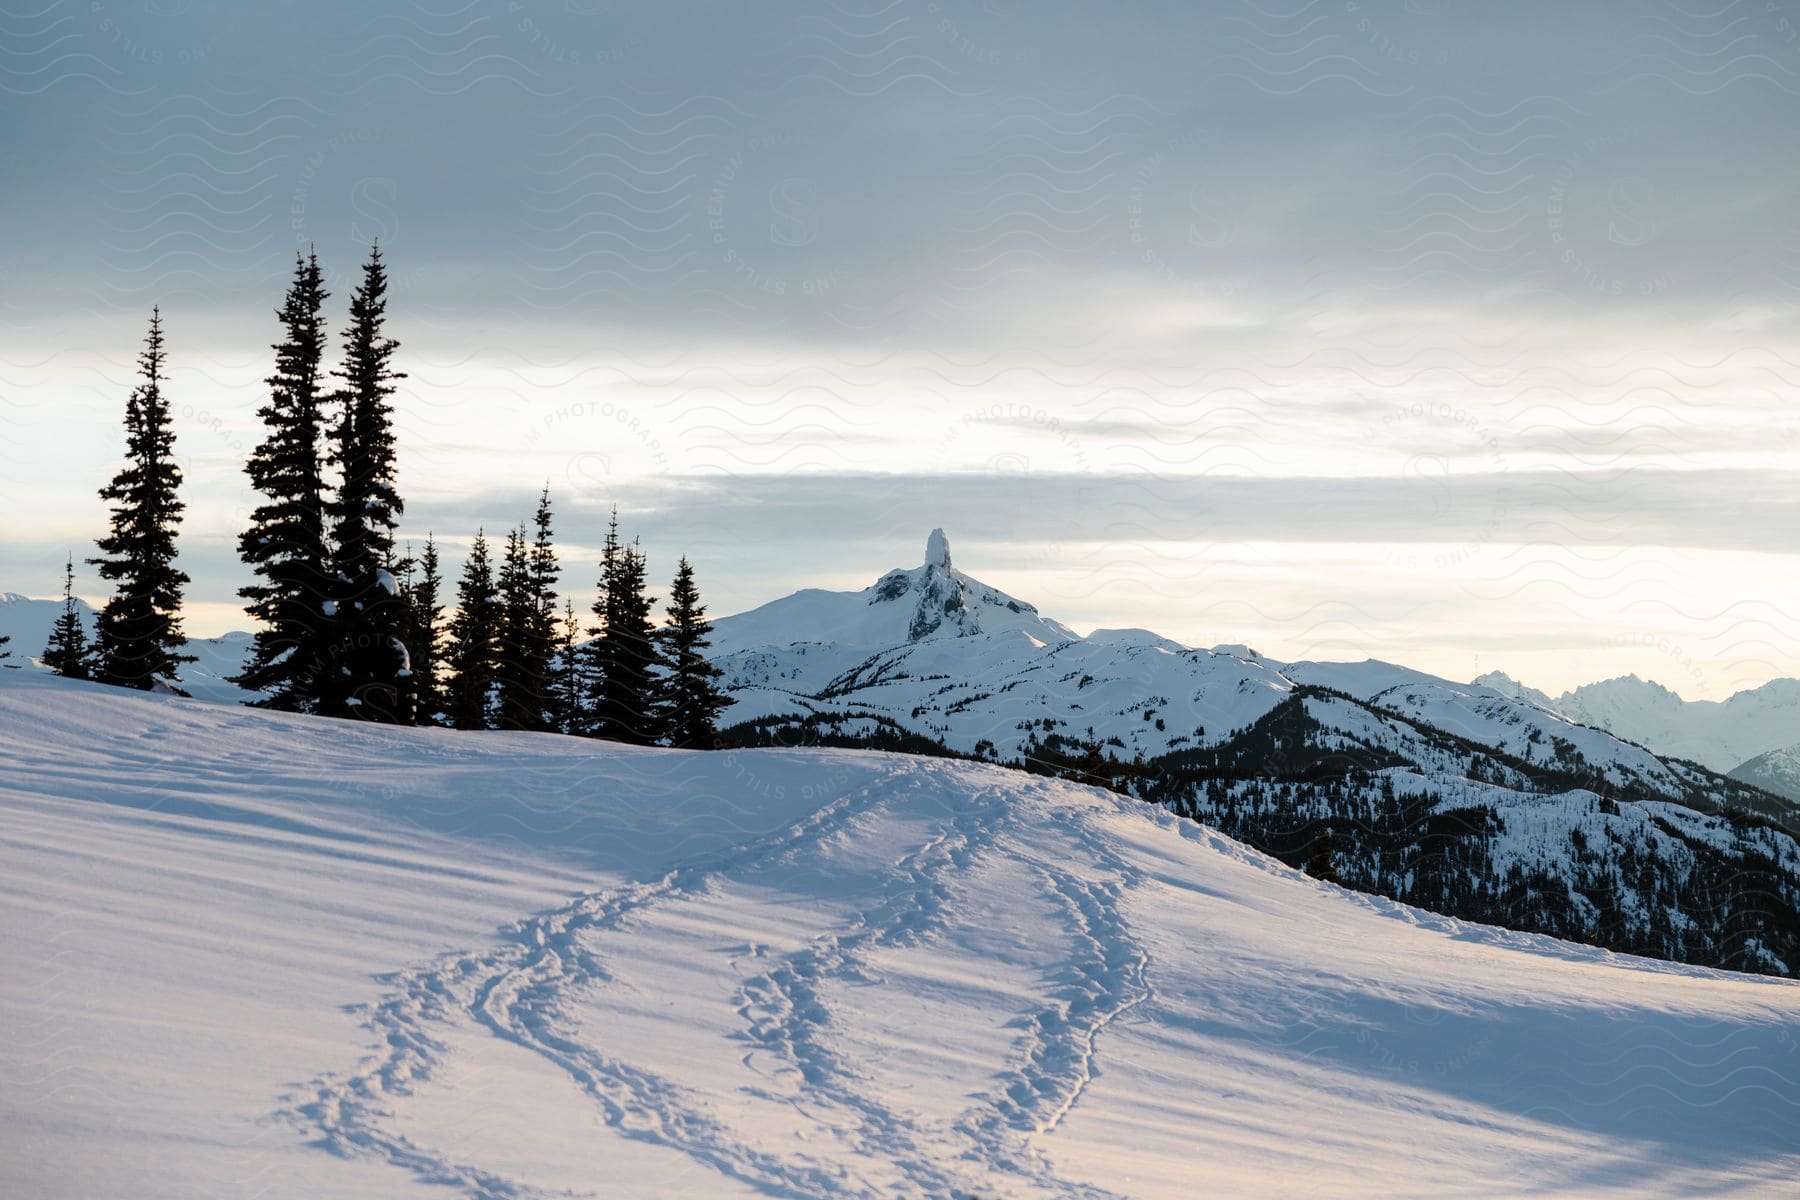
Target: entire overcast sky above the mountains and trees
1455,334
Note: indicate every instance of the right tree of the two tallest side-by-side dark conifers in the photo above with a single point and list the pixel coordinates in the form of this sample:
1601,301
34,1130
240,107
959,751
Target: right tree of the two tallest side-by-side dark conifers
368,652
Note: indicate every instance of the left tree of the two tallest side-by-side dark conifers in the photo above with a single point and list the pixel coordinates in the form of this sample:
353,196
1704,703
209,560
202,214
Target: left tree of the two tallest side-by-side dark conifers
287,539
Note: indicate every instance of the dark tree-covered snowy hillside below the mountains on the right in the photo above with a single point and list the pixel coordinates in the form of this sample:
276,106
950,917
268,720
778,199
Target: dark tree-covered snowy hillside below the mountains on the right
1408,812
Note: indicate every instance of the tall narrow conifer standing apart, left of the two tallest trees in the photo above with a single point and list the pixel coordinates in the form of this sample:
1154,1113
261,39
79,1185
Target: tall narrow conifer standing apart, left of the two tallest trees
139,636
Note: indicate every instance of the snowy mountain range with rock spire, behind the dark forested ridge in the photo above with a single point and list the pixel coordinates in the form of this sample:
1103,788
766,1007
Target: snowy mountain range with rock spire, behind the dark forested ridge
942,656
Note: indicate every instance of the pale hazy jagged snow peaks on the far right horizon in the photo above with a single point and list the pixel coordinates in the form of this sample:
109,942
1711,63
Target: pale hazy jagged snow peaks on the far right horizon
1713,733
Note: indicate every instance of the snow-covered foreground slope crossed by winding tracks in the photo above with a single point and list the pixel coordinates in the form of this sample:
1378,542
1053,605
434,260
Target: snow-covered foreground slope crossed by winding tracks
260,956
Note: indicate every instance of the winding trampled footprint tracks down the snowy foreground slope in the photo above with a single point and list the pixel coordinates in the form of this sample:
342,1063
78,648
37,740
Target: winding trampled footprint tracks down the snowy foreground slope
516,992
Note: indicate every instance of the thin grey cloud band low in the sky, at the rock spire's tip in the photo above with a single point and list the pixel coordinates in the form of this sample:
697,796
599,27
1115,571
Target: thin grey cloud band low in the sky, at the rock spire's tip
820,526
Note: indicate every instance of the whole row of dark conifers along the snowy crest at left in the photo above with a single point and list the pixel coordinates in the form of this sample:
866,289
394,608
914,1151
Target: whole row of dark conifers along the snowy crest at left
352,625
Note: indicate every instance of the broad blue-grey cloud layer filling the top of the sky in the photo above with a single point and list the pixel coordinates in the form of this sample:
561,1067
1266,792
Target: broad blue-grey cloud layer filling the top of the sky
872,174
